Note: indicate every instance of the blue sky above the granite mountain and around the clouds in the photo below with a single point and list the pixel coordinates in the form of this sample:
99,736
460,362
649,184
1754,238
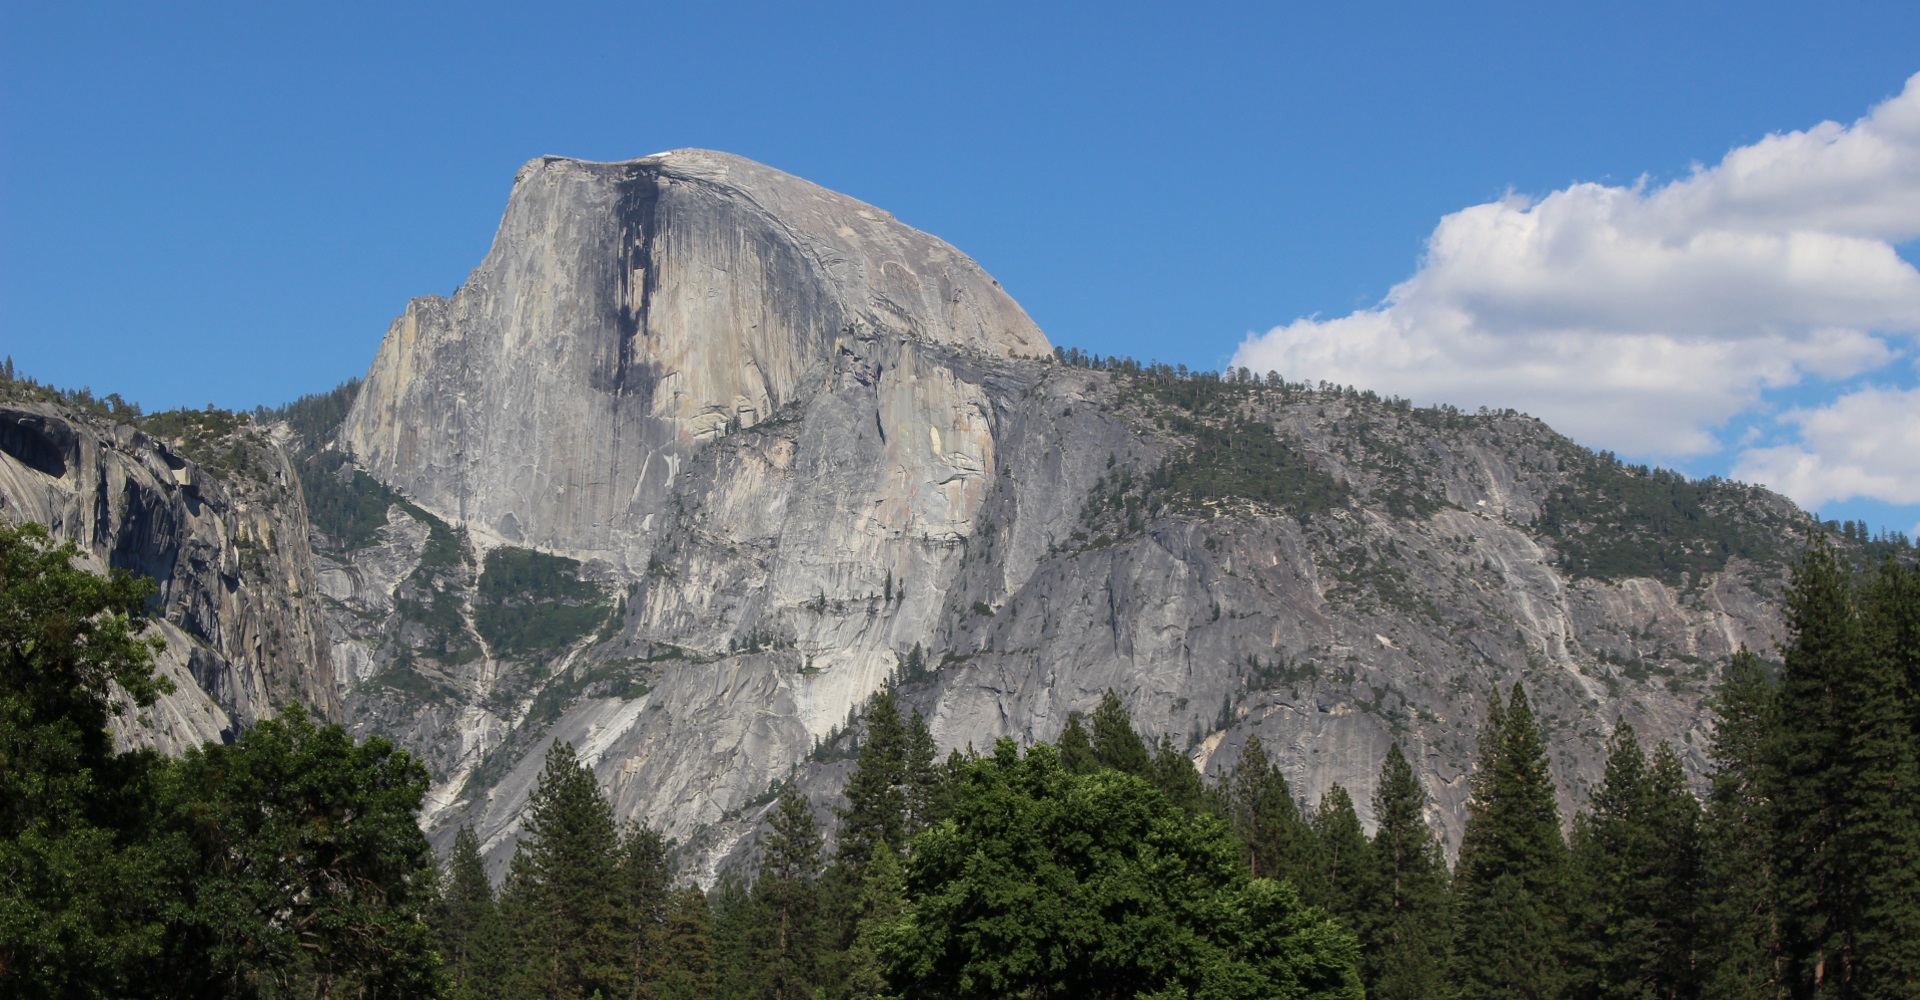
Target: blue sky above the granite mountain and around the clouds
229,202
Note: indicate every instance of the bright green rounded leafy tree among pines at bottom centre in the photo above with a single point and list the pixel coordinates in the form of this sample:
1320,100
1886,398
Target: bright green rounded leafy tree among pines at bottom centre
1049,884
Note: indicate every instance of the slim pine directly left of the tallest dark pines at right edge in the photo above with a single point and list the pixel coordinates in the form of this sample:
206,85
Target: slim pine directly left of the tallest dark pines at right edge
1740,928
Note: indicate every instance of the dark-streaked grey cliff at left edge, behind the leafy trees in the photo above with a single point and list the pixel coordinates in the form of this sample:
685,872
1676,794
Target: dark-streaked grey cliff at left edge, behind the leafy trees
229,554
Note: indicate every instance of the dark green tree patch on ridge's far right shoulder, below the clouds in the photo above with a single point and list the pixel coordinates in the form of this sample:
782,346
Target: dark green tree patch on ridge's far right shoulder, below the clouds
1614,521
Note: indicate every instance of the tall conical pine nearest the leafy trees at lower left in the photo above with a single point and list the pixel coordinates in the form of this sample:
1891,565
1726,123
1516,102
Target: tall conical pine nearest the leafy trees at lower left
564,903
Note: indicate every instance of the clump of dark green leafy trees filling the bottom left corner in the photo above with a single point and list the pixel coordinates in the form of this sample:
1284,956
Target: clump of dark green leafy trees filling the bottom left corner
262,869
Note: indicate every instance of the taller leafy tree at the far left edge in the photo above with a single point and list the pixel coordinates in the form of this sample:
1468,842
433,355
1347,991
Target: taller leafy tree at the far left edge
76,863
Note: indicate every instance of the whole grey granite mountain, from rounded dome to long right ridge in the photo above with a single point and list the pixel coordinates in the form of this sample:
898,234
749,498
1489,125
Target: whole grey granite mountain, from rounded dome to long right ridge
786,440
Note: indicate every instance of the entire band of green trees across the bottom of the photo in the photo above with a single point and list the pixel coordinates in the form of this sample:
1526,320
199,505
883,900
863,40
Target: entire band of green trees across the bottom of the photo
1105,865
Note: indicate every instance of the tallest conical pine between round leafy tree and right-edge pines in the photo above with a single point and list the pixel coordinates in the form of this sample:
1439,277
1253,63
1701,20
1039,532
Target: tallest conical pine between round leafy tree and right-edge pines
1512,867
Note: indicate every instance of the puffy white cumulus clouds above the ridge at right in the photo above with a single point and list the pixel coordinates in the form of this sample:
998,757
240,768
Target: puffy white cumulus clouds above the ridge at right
1644,318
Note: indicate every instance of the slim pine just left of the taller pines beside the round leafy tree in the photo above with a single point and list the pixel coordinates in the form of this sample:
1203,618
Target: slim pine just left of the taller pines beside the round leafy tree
788,899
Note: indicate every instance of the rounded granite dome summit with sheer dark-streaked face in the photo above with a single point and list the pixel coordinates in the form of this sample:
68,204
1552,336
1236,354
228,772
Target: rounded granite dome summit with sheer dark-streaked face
629,314
